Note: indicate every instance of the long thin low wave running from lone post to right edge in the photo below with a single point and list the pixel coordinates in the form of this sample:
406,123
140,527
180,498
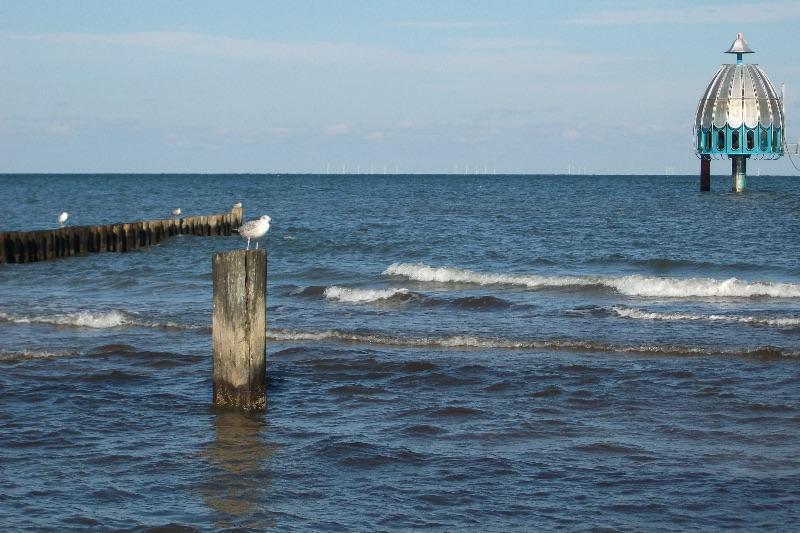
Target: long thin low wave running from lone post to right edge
468,342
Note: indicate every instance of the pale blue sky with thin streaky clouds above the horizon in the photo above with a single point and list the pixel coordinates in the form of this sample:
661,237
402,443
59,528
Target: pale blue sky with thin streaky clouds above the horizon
384,86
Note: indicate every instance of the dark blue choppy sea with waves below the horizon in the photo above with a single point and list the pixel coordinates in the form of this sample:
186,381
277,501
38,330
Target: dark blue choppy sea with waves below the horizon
444,353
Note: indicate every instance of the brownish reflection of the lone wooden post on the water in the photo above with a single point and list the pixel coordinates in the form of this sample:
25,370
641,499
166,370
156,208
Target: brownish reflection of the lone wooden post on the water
238,458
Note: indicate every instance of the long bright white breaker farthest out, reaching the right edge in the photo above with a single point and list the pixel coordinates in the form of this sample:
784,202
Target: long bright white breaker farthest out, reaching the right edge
633,285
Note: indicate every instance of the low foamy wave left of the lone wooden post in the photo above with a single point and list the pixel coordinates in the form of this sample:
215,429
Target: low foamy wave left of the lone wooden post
95,320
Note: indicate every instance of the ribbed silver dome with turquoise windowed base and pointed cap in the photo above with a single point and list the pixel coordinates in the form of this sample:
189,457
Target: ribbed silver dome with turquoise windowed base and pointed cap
740,112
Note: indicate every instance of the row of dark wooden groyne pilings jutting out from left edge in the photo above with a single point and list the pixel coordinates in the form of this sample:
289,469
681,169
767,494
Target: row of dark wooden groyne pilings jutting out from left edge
45,245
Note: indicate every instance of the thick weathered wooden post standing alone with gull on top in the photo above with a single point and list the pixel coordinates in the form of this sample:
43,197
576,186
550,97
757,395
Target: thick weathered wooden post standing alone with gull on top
238,329
